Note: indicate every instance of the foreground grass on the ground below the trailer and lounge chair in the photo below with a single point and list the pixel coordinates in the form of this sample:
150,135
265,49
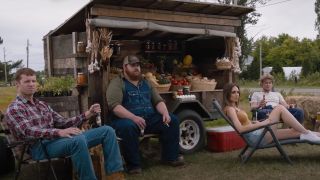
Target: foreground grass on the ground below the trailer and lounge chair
206,165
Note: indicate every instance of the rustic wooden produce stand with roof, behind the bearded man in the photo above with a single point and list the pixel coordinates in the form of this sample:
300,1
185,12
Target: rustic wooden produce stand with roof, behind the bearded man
160,33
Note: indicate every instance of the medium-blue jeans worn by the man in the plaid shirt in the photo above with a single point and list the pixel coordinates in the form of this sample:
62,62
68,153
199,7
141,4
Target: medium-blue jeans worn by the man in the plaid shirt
77,148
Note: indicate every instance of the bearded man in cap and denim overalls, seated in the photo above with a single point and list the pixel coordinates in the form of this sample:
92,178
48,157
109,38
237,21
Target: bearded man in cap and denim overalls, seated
138,108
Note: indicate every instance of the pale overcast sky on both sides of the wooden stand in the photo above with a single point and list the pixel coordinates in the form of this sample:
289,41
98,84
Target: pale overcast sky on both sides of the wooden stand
32,19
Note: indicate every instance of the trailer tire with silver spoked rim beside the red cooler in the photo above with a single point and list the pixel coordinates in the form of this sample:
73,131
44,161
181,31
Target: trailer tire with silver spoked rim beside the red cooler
192,132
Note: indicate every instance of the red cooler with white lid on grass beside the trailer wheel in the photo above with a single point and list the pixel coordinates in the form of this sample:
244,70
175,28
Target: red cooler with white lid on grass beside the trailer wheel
223,139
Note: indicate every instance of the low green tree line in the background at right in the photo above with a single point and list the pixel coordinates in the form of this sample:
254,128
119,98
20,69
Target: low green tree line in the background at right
284,51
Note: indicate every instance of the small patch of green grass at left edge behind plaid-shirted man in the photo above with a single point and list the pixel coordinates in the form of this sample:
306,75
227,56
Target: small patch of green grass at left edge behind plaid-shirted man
7,95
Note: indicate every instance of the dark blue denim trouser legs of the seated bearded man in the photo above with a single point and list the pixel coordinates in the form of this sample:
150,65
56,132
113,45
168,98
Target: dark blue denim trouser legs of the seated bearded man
130,132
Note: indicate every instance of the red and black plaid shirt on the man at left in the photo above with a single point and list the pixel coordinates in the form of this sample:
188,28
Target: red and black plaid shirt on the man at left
35,120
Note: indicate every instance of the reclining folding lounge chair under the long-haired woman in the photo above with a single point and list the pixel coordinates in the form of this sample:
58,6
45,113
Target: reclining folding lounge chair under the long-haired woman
252,147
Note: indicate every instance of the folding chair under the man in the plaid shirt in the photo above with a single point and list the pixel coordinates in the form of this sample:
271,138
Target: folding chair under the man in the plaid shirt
20,151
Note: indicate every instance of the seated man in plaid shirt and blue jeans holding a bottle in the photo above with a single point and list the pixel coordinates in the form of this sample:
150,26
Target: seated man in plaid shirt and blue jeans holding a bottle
28,117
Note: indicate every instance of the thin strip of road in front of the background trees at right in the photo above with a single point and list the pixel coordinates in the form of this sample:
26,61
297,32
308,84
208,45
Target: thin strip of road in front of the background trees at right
304,91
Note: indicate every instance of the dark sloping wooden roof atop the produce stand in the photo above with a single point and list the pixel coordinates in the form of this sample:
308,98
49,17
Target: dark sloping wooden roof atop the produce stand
76,23
